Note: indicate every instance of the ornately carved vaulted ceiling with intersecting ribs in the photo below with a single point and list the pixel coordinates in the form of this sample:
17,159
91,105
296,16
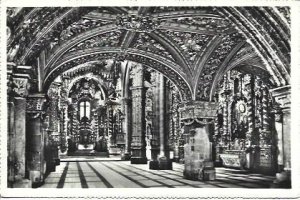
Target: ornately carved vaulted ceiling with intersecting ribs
192,46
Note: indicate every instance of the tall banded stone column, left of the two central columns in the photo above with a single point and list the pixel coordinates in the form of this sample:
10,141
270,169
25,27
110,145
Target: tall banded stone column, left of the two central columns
138,142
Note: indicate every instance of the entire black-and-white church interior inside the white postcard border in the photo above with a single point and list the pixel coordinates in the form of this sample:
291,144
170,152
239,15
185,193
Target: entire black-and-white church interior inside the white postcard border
148,97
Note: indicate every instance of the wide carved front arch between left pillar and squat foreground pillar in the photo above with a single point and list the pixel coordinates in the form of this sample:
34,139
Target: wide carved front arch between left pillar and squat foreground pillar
168,68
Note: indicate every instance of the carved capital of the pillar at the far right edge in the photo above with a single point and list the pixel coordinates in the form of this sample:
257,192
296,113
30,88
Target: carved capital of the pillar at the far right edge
282,96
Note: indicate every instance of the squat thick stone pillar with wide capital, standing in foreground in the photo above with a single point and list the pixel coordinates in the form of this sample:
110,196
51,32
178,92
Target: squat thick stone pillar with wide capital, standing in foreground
198,118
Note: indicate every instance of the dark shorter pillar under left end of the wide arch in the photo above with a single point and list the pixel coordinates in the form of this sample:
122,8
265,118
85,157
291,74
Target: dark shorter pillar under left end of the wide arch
35,138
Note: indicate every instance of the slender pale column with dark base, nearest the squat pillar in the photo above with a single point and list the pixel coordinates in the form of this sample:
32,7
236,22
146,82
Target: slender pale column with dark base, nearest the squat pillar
161,161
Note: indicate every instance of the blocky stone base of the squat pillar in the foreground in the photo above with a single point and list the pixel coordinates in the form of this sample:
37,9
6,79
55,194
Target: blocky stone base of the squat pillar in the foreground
199,170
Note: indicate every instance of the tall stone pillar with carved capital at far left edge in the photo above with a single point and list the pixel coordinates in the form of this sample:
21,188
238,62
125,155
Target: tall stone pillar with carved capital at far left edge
18,86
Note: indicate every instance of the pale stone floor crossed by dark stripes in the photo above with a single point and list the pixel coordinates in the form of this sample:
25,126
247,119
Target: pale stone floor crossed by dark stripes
121,174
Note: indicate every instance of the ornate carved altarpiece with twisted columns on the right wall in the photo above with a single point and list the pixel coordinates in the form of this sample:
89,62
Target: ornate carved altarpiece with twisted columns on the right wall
245,121
